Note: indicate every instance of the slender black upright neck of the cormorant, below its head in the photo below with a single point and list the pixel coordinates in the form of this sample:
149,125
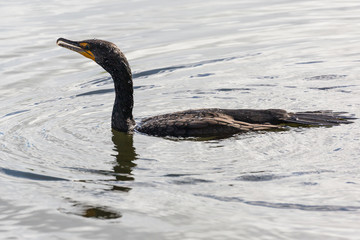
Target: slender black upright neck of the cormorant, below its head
122,119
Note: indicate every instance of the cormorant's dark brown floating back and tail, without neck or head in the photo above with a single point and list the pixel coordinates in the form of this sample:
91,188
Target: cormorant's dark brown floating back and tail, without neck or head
223,122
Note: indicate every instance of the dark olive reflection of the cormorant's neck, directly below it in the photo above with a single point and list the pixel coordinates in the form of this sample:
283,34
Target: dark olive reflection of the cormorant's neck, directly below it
125,157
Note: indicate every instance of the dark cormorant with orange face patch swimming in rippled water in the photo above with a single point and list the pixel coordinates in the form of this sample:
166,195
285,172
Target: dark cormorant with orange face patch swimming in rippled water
190,123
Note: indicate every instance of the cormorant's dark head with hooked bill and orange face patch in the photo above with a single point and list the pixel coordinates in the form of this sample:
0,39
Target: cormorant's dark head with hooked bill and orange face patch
104,53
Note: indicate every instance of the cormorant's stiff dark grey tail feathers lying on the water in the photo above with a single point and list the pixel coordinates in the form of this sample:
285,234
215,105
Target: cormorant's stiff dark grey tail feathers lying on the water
320,118
